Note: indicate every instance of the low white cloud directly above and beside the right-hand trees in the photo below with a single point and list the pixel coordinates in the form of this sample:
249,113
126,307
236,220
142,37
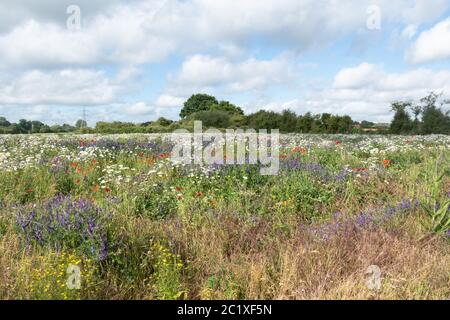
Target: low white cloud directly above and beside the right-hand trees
366,91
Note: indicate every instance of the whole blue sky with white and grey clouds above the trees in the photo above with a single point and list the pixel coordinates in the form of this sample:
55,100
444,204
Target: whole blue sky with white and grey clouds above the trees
138,60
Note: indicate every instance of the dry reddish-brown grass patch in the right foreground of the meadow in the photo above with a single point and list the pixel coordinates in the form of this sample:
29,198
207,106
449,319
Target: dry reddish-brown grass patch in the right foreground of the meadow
246,261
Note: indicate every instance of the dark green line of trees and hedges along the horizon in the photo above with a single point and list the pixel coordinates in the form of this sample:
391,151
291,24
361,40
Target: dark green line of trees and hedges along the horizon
426,117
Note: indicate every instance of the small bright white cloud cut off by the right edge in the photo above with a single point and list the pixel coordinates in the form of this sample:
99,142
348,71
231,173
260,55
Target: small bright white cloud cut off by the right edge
433,44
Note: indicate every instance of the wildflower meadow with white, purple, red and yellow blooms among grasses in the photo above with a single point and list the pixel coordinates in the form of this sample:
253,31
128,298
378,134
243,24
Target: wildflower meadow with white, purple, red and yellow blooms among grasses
111,217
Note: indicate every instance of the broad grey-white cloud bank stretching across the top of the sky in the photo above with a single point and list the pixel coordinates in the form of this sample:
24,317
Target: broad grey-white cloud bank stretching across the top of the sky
150,31
